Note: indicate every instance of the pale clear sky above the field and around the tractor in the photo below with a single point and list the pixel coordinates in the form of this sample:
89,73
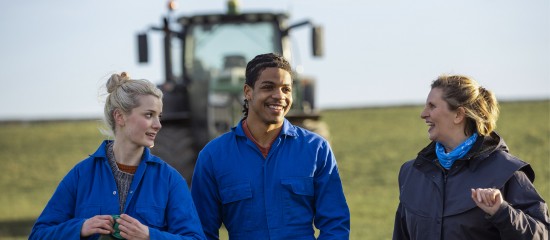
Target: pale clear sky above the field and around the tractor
56,55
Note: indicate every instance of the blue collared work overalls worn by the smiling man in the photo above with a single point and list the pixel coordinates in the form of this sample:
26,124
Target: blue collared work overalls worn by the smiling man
277,197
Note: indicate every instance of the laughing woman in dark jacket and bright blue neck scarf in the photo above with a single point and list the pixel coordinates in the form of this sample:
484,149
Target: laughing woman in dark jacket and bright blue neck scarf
465,184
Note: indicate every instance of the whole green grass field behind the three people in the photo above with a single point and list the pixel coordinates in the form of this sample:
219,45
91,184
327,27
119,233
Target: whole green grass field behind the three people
370,145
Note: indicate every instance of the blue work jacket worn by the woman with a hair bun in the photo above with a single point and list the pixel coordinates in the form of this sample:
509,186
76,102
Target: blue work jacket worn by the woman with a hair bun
158,197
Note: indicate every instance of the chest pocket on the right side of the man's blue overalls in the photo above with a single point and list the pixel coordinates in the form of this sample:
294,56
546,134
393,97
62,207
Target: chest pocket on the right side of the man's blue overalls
298,200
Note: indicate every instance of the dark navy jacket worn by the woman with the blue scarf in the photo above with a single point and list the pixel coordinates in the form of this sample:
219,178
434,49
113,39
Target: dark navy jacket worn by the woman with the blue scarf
437,204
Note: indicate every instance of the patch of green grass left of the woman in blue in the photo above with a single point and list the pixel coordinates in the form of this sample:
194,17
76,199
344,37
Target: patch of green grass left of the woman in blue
35,156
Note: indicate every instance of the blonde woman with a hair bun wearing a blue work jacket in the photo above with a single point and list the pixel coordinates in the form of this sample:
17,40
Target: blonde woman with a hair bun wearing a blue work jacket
122,179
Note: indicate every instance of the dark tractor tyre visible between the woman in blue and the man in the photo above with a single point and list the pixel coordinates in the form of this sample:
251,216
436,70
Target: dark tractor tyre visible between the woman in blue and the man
174,145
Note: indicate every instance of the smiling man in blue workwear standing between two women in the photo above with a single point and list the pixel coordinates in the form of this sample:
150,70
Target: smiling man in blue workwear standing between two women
266,178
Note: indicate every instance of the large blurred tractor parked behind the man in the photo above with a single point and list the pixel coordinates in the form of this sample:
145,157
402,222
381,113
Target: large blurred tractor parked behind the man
205,57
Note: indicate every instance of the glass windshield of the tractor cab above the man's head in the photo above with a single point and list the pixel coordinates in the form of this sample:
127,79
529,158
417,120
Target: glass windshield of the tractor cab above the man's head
214,48
